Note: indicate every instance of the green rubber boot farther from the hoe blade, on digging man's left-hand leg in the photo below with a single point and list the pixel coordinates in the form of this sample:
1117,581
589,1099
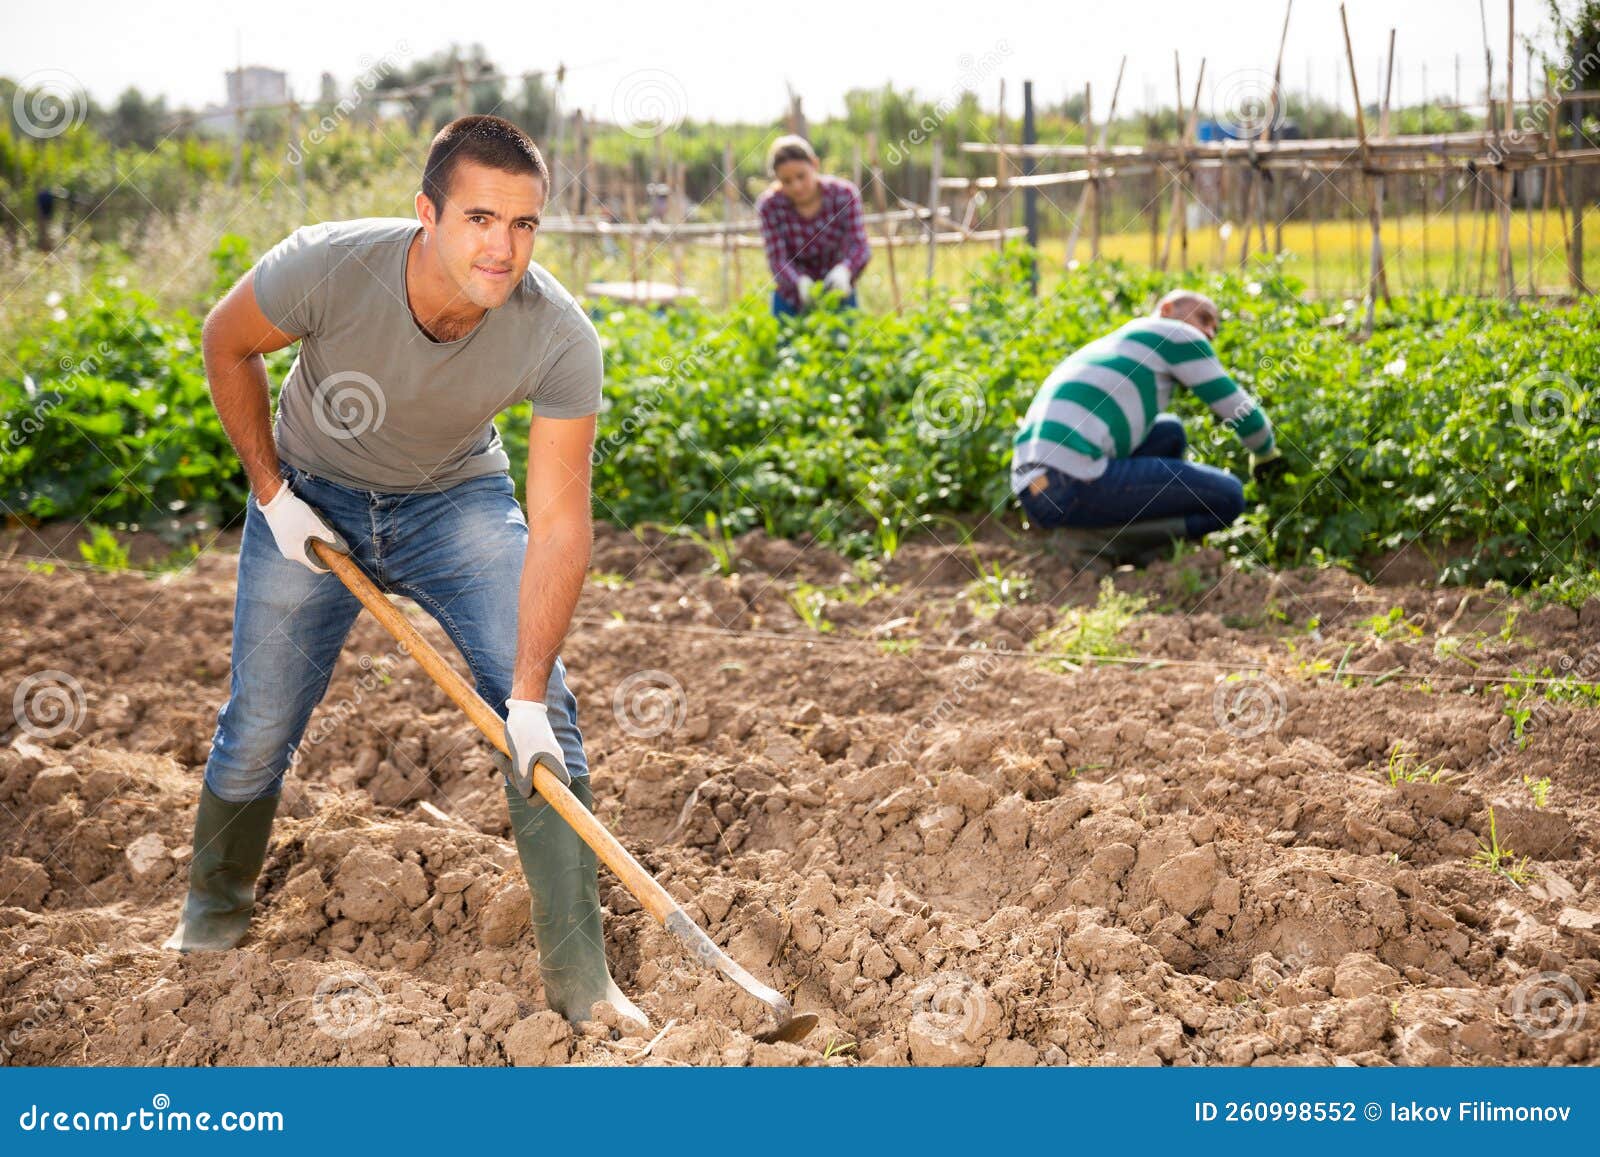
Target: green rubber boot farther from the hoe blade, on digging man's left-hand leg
231,844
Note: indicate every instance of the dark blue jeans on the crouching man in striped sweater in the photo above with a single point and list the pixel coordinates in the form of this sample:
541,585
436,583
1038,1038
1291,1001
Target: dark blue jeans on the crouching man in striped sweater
1153,482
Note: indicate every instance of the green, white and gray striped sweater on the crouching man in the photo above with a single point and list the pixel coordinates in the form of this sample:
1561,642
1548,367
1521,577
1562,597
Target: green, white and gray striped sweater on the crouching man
1102,401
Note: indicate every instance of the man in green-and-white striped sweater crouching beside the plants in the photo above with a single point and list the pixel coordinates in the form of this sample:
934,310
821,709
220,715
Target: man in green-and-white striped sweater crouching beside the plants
1097,455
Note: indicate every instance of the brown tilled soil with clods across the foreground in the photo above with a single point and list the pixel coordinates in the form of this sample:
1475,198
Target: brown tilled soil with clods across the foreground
1198,852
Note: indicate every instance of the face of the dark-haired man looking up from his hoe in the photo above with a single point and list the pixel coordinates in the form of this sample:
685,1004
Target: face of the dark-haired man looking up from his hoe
484,231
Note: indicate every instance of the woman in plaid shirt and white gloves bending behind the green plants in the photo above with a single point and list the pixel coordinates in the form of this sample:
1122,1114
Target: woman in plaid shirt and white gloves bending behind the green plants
812,226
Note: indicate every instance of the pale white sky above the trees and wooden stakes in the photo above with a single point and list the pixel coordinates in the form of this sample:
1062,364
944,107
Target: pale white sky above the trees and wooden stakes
724,60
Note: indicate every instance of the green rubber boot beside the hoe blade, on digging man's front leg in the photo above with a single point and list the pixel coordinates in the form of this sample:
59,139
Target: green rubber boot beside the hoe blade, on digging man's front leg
564,881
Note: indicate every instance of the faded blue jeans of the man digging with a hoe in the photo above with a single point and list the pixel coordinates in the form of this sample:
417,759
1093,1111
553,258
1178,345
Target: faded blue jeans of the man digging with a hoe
458,553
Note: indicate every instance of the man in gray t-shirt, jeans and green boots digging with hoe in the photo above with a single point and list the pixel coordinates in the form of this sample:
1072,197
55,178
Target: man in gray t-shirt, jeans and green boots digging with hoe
414,337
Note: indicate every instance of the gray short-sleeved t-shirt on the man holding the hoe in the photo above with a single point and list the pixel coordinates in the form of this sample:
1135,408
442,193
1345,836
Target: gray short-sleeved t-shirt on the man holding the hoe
375,404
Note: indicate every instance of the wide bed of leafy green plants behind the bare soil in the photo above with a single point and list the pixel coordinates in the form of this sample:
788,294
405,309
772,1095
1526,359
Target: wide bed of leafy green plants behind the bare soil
1465,428
